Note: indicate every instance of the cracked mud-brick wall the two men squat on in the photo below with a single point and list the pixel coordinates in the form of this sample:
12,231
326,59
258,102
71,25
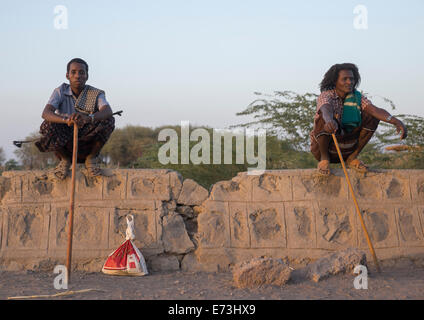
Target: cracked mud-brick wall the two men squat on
182,226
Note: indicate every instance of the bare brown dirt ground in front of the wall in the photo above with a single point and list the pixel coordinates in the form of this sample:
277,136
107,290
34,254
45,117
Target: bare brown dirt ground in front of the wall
395,282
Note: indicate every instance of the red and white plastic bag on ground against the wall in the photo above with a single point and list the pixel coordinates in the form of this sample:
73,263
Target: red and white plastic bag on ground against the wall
127,260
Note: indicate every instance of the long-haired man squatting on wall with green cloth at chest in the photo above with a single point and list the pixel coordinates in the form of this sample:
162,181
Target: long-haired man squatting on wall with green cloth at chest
340,82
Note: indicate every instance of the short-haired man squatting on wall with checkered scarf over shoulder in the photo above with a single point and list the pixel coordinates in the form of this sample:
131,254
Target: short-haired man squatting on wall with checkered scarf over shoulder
88,108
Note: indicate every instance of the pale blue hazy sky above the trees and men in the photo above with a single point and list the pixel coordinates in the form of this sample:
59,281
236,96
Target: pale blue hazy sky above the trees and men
165,61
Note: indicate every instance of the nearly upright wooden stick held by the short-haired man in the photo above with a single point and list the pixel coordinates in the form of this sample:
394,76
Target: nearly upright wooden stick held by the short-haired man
72,203
